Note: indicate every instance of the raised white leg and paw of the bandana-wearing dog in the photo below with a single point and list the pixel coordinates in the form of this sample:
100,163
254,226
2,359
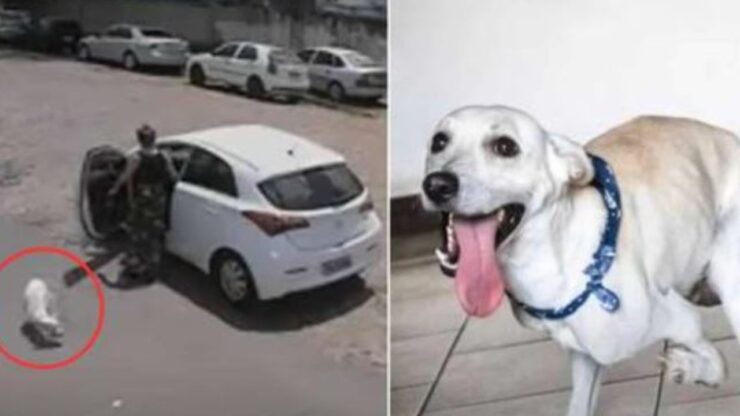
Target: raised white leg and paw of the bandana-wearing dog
690,358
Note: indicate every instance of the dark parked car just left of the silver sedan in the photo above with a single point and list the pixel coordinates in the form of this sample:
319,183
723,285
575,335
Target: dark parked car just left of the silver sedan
55,34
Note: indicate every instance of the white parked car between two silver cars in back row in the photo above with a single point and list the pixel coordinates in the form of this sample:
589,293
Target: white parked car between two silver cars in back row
260,70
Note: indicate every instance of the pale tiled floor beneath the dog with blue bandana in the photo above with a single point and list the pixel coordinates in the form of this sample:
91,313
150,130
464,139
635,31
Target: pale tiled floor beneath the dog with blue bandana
443,364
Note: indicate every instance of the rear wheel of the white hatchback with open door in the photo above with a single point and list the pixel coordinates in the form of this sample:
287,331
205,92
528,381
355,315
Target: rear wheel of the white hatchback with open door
235,279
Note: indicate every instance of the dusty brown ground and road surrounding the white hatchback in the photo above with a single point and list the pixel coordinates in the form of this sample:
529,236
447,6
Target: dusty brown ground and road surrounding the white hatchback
176,346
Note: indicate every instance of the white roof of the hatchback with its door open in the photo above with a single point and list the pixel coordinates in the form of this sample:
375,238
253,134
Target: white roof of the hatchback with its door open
265,151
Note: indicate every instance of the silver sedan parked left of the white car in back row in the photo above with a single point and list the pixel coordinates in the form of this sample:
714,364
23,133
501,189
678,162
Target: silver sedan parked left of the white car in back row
134,46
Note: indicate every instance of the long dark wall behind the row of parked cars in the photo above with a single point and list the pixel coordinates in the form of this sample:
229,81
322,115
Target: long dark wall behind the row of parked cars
206,26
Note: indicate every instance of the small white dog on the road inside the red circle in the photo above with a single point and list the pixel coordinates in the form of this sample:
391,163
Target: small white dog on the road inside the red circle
42,310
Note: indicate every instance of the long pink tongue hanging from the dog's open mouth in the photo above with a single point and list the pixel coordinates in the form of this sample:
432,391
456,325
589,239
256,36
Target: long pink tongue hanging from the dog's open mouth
479,282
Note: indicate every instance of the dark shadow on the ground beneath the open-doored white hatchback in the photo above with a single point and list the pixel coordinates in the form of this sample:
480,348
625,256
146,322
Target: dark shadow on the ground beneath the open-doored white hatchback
290,313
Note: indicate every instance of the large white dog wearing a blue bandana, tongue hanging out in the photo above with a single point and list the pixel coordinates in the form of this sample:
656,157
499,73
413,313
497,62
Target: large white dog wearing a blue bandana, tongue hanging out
533,213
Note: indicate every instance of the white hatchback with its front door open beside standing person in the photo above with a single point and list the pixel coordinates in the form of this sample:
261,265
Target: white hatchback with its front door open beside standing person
264,211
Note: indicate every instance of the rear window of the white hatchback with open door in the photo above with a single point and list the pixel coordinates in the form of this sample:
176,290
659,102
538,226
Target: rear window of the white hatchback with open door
315,188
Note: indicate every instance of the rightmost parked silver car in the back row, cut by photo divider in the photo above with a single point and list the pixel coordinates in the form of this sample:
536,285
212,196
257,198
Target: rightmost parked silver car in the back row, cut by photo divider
344,73
